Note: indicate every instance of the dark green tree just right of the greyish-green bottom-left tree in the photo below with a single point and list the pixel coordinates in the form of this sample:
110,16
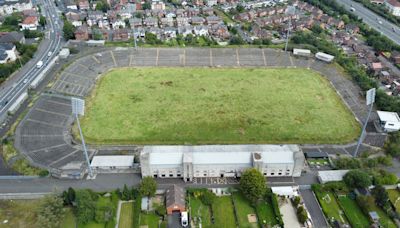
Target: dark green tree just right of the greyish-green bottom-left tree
85,206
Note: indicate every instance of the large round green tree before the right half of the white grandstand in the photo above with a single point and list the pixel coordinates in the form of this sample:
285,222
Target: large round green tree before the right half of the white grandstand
253,185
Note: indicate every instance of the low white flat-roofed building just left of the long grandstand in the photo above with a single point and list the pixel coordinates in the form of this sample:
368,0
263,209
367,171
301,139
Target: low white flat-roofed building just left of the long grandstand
114,163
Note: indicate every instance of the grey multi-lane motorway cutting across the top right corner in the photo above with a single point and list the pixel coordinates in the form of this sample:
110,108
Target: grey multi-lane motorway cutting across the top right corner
372,19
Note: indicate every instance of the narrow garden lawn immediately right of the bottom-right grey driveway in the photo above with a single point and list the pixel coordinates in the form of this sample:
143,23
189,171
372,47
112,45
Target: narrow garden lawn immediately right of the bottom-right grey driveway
330,206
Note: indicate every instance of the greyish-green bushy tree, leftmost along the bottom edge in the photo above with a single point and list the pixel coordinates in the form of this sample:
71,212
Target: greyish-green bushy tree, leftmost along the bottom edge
51,212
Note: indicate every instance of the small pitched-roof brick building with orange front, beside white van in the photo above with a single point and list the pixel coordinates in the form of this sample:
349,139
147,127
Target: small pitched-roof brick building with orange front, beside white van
175,199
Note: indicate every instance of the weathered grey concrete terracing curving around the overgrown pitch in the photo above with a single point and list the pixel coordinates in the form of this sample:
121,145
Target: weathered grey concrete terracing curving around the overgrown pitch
44,134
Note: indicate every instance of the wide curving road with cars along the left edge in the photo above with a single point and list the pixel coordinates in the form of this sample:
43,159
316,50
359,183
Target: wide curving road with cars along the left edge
19,83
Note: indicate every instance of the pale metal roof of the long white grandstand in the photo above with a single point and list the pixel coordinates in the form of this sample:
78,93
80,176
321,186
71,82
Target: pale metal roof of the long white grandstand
221,154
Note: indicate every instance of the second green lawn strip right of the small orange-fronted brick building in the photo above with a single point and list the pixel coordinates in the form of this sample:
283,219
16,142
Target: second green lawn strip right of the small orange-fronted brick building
224,216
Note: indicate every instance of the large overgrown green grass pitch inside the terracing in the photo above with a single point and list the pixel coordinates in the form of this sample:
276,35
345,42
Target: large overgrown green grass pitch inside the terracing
216,106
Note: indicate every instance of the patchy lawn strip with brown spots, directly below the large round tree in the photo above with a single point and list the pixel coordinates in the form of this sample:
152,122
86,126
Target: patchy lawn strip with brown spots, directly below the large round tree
243,209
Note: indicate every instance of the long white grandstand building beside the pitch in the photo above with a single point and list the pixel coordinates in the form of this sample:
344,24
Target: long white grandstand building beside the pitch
188,162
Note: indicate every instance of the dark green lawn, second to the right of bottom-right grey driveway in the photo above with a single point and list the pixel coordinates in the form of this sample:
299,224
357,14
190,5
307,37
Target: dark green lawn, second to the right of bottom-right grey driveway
353,212
